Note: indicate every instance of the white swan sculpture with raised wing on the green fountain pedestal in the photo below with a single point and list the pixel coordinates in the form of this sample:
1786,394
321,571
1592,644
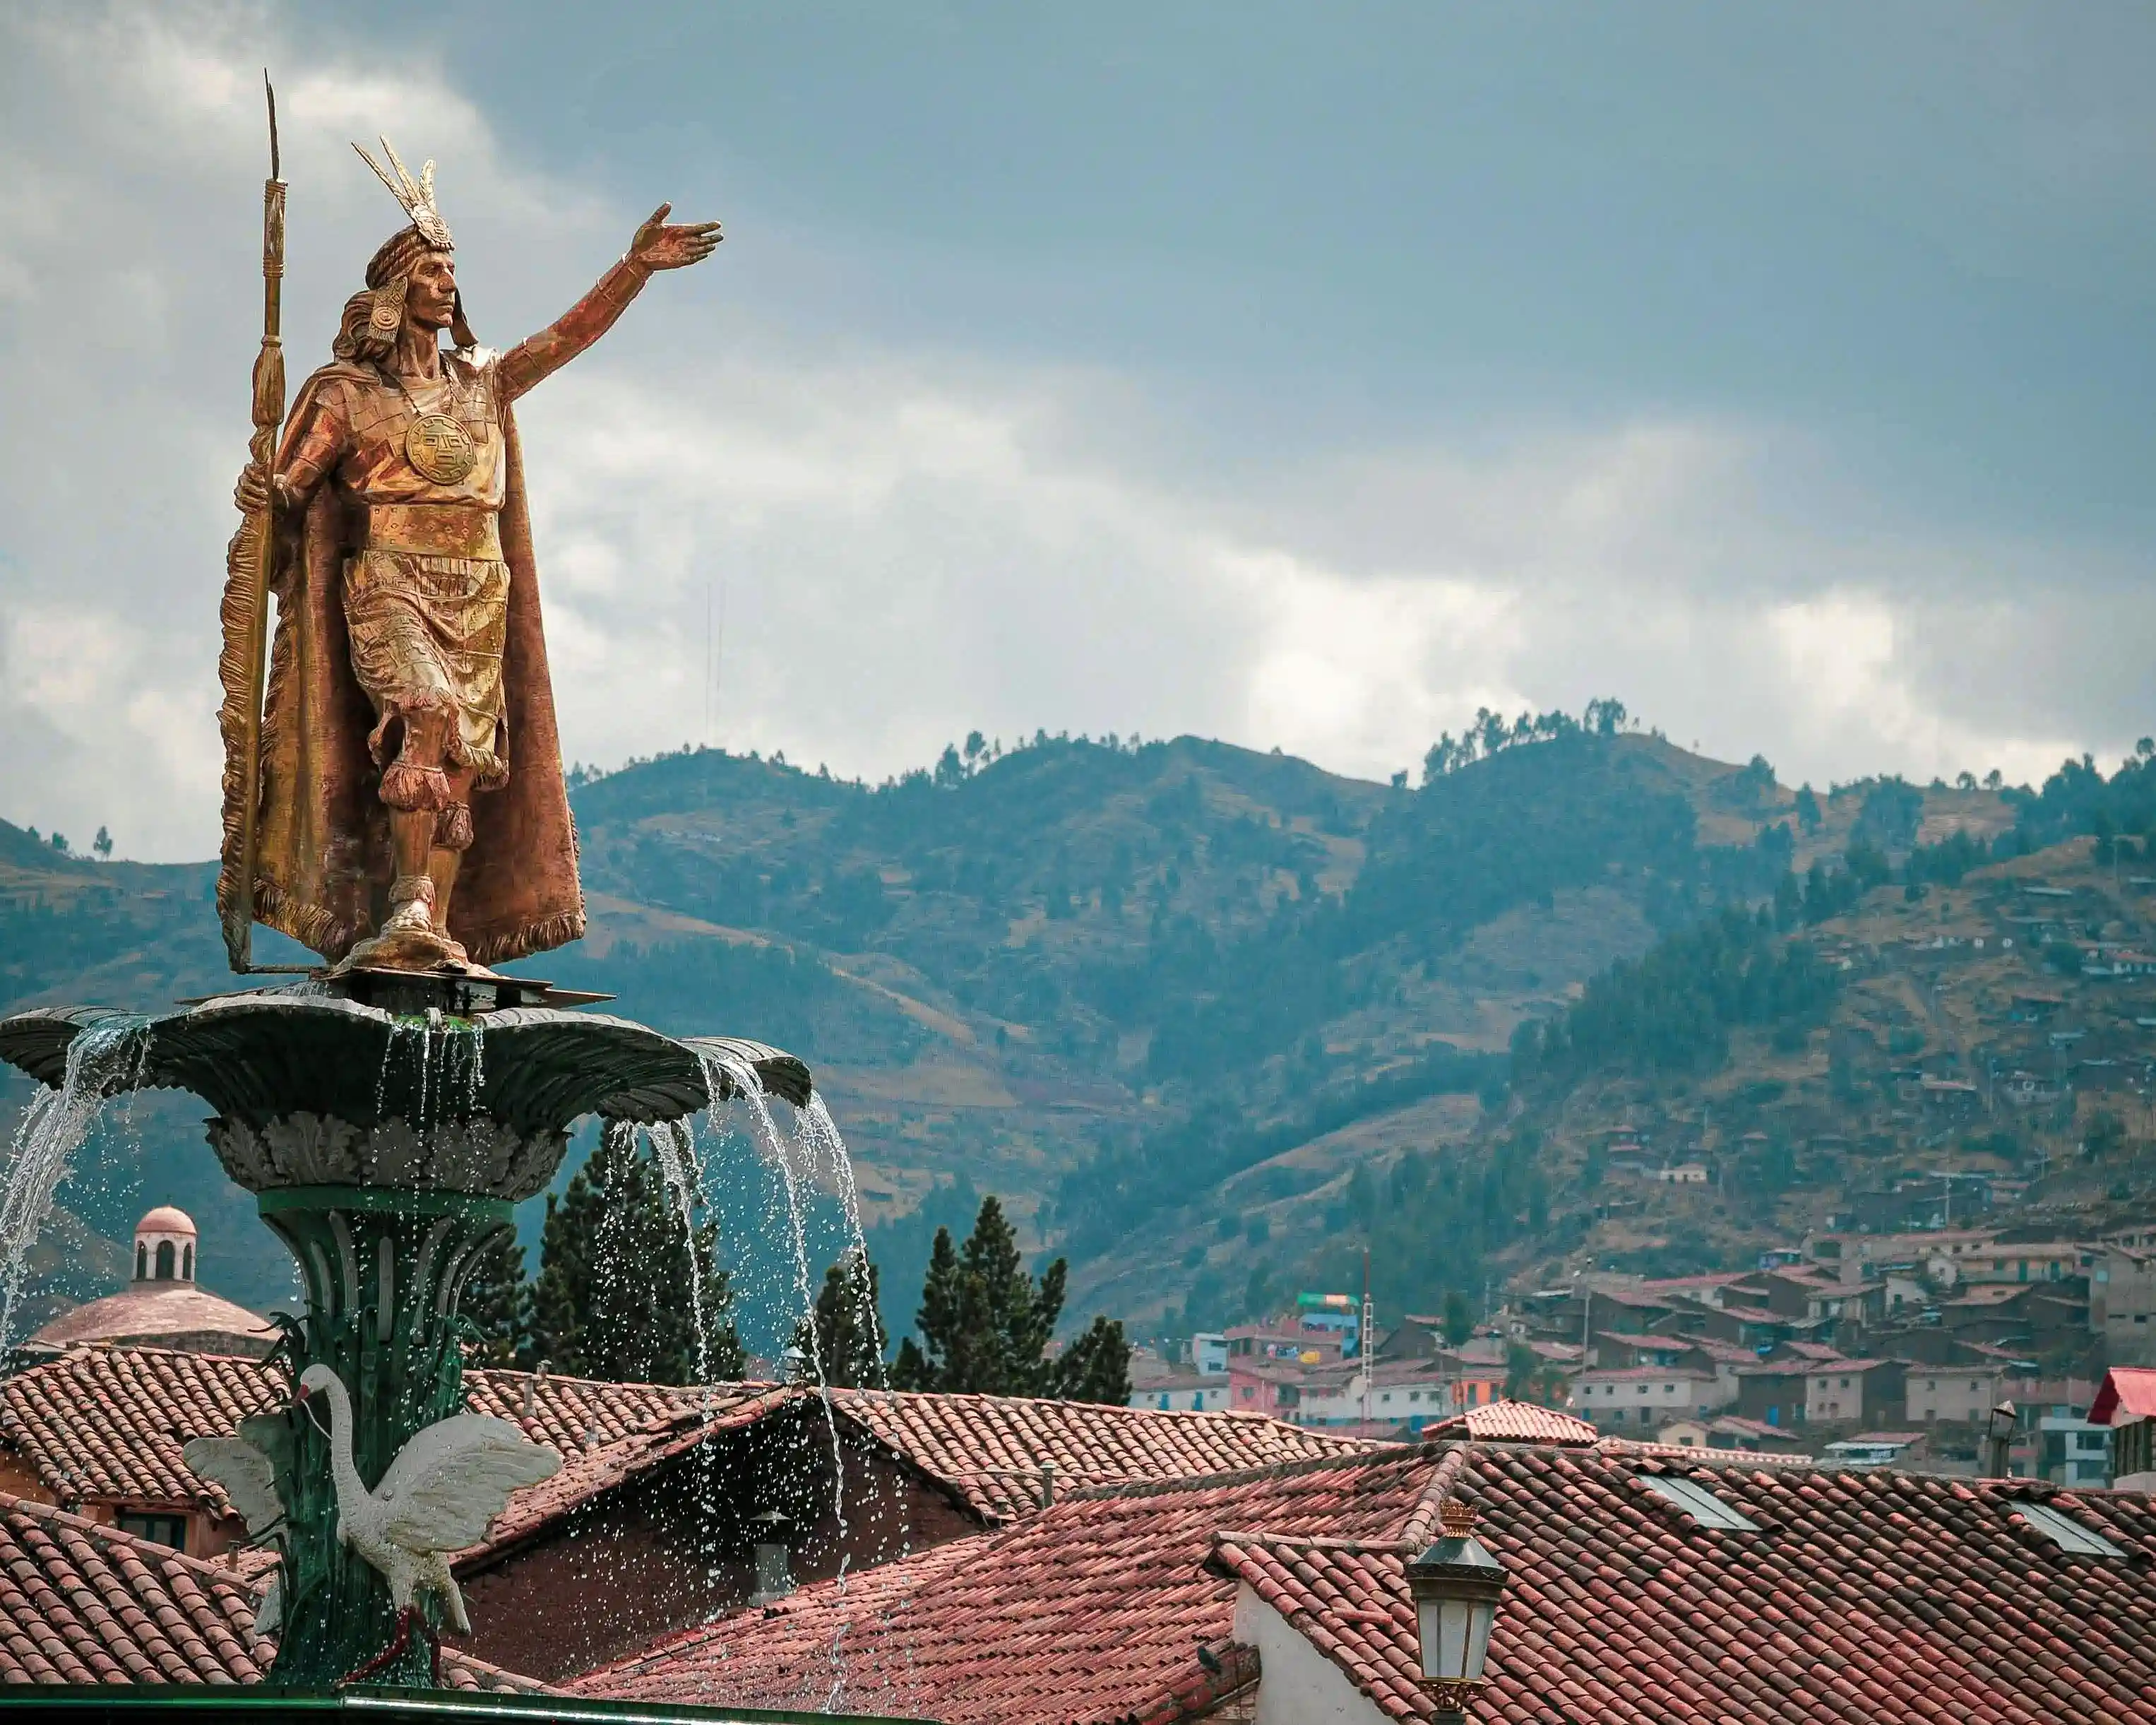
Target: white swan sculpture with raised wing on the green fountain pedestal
437,1498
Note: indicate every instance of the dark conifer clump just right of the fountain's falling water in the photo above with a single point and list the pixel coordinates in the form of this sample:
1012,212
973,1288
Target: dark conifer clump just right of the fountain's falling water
986,1323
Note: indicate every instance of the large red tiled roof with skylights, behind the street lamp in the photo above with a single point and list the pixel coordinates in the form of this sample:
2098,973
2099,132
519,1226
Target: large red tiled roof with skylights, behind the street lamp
1864,1595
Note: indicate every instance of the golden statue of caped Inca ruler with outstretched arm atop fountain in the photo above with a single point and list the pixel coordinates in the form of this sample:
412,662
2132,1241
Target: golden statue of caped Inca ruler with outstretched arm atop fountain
409,667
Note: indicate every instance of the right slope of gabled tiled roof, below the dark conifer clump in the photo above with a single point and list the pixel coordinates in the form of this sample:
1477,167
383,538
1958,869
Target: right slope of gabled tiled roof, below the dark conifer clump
995,1448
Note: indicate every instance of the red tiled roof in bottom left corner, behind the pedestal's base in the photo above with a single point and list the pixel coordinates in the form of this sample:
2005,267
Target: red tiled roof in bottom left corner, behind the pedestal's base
87,1605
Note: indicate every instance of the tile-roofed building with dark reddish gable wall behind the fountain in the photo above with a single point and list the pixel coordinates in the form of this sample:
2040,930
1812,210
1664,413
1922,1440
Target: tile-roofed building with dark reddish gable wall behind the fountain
648,1526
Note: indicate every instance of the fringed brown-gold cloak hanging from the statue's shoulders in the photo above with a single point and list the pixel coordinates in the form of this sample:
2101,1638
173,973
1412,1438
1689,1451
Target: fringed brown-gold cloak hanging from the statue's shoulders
324,848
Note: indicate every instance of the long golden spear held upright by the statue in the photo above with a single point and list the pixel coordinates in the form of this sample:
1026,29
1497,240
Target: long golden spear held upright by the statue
245,611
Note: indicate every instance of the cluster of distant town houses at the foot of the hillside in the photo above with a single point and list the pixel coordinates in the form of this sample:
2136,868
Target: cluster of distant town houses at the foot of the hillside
1847,1336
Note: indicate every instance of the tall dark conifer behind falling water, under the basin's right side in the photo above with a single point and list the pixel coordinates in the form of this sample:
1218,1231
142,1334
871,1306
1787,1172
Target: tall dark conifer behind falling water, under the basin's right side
618,1271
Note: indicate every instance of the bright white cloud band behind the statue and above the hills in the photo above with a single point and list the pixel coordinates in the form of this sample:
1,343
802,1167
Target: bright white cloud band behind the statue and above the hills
894,544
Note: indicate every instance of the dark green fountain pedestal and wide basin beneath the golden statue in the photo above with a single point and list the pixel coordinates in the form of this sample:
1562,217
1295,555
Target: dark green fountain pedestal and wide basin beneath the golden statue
387,1150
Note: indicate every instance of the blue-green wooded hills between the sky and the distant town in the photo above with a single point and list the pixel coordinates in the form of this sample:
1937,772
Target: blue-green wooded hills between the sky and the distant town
1191,1008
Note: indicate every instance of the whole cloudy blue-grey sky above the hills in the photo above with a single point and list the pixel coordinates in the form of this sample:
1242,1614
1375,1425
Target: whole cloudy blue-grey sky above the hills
1301,376
